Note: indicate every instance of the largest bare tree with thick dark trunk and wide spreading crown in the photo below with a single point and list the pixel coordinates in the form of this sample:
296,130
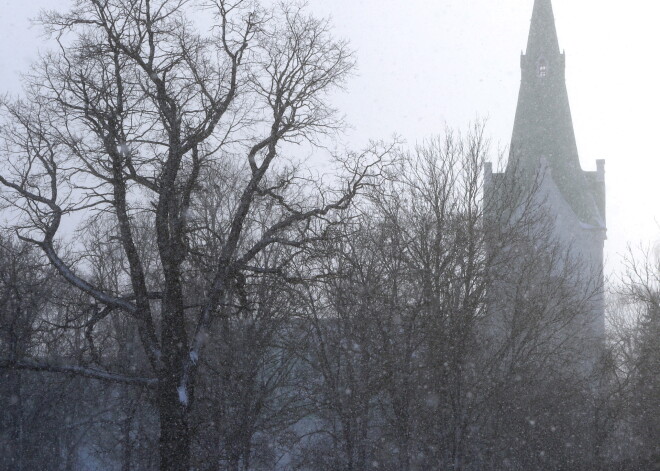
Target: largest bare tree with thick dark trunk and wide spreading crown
124,118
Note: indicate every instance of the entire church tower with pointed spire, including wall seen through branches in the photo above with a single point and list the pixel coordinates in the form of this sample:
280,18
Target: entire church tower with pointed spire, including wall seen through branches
544,151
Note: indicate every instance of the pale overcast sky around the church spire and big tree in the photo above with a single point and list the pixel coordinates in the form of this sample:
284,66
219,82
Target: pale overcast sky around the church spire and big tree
423,64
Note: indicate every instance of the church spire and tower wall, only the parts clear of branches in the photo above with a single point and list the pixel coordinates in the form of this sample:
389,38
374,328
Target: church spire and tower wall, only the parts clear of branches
543,146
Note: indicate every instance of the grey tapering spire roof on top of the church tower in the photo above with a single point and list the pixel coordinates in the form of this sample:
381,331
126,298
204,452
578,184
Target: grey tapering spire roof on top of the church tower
543,127
